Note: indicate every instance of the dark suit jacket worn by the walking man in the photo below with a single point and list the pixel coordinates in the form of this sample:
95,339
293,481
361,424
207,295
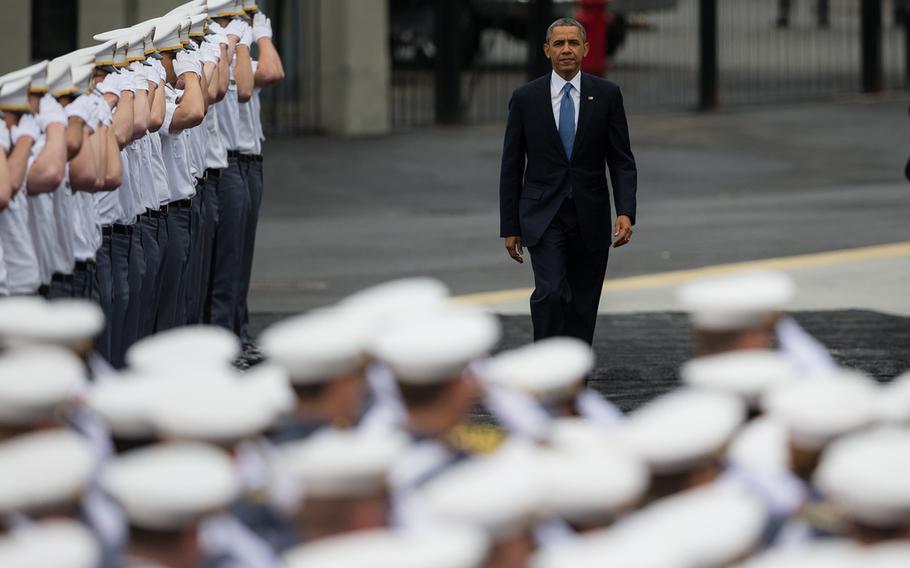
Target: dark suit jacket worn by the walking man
535,166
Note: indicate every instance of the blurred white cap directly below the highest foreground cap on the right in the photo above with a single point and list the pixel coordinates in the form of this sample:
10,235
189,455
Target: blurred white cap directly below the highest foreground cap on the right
747,374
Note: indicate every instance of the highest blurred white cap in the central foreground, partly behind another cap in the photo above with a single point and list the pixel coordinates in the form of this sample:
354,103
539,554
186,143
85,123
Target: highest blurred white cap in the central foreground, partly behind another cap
398,300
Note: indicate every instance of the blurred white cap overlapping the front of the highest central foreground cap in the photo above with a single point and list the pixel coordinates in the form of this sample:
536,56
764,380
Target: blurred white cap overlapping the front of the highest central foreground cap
438,347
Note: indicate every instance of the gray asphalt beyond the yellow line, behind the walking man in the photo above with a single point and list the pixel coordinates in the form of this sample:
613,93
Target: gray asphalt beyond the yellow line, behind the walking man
716,188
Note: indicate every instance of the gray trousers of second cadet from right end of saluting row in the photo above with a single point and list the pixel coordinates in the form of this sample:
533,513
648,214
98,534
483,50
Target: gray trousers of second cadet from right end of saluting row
233,211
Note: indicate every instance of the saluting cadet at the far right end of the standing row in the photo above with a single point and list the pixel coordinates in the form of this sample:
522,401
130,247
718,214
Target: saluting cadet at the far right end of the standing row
268,70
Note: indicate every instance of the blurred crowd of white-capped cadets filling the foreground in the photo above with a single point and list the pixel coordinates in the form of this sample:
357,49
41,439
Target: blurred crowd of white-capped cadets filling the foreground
384,432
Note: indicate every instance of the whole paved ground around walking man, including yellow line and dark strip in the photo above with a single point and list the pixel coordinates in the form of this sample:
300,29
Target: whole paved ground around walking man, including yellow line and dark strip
790,184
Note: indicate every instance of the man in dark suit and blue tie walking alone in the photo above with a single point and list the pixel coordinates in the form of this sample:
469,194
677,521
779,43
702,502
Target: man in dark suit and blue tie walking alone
564,130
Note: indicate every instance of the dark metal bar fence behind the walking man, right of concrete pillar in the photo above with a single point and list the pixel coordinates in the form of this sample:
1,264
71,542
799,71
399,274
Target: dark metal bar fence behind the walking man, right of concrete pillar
762,57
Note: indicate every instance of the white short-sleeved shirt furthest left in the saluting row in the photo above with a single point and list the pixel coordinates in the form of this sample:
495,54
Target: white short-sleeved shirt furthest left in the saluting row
22,274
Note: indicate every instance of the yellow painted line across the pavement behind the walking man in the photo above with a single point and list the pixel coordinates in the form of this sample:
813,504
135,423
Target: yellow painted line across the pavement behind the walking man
676,277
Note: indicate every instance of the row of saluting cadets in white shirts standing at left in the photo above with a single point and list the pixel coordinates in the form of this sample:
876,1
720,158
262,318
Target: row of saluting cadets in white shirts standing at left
131,172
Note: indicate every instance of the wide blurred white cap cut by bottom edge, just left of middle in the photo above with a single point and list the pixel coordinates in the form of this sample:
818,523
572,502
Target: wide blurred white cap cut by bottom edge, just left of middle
442,547
